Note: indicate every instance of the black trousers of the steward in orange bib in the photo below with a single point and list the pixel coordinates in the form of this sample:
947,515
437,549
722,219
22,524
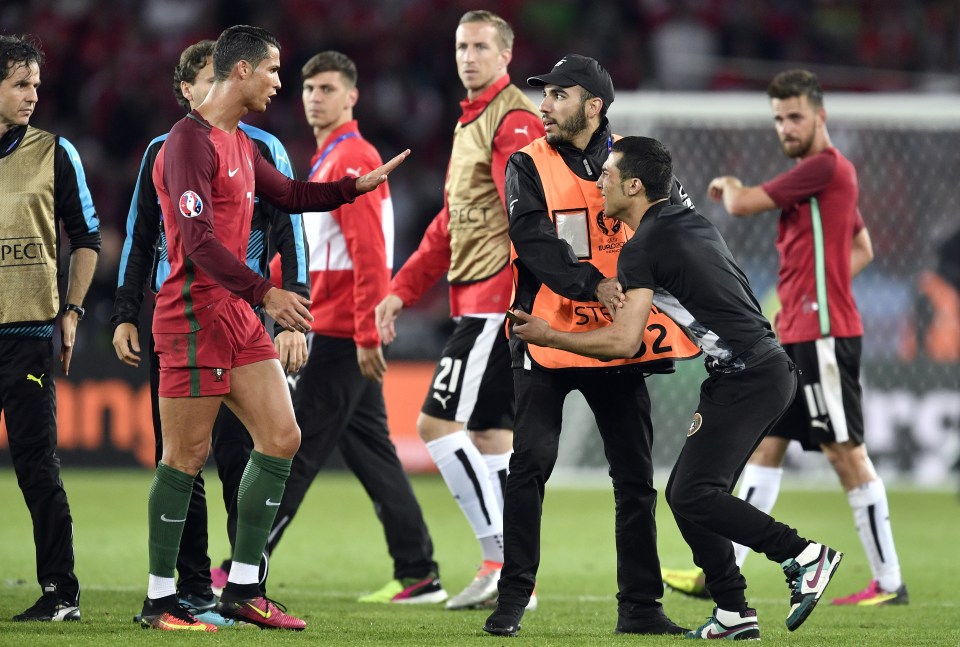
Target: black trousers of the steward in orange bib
621,406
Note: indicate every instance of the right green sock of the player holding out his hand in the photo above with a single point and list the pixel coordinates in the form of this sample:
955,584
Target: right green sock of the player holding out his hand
261,489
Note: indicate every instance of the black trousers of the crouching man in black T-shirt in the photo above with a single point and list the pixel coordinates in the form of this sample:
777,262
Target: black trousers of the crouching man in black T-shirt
734,413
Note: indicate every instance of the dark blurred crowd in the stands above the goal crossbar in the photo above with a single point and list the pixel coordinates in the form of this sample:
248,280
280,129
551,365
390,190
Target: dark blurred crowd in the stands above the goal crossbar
107,79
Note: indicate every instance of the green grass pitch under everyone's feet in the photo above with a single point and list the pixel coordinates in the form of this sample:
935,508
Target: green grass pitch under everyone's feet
335,552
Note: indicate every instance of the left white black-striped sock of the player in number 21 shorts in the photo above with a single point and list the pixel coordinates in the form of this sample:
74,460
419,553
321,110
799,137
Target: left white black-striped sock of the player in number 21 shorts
468,478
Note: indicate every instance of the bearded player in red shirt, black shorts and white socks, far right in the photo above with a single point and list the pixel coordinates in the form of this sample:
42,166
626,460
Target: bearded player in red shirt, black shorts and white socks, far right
823,243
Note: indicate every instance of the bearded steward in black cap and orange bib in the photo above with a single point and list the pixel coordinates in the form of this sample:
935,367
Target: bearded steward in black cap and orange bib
565,263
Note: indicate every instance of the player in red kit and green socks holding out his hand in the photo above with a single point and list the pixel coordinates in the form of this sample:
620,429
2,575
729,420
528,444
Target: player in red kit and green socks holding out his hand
212,347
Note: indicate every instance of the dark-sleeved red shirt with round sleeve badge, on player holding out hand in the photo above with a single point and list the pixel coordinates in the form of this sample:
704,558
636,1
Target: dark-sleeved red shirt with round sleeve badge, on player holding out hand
206,179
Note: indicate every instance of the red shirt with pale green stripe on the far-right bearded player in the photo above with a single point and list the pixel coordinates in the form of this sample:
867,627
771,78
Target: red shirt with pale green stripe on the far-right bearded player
819,218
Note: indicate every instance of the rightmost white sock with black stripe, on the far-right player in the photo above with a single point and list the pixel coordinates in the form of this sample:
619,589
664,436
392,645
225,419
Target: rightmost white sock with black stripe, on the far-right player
871,516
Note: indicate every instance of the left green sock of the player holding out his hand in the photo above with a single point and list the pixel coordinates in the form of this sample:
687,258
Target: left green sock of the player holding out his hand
167,511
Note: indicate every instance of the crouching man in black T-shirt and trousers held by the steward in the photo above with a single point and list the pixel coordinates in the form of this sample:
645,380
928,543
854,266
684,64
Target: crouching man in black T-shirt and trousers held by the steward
678,263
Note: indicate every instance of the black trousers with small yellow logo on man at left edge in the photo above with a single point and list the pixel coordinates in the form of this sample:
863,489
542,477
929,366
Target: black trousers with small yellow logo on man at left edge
28,400
